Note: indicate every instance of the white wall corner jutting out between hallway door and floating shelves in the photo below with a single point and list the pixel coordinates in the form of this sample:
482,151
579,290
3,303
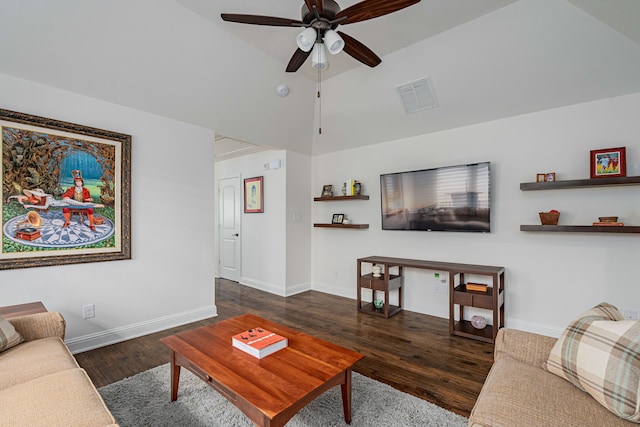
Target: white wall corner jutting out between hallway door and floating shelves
275,247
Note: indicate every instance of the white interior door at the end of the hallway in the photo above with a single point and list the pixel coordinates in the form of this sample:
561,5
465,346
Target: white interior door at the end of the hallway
230,200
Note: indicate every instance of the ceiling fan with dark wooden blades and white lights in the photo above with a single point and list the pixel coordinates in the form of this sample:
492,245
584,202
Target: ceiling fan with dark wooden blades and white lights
320,18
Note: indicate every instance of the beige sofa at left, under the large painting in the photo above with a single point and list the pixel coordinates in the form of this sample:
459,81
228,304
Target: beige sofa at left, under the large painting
41,383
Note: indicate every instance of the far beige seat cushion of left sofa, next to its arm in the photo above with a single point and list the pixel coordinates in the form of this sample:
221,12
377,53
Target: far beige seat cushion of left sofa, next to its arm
34,359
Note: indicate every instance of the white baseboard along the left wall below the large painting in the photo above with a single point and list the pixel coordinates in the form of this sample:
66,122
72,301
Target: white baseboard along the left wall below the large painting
123,333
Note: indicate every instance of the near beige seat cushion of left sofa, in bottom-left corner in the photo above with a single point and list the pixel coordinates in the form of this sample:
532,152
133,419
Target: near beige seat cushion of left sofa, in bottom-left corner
65,398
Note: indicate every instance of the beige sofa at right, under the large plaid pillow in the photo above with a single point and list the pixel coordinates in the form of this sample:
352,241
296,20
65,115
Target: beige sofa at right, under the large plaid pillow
518,392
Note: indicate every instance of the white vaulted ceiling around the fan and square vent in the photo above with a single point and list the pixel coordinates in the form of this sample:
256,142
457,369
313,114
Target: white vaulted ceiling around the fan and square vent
487,59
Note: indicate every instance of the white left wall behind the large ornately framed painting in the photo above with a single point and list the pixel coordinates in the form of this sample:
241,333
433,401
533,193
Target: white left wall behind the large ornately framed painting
170,279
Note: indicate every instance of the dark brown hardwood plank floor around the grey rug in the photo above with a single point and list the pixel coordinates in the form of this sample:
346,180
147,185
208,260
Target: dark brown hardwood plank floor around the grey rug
409,351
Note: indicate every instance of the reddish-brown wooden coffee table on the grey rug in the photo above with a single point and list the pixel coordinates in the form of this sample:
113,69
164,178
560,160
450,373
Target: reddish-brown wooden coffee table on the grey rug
270,390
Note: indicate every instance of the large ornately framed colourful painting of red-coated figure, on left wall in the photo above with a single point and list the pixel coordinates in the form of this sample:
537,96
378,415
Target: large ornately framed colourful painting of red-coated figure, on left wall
66,193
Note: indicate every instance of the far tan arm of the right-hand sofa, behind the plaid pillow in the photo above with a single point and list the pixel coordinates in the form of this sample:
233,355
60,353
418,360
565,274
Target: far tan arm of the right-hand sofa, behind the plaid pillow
525,347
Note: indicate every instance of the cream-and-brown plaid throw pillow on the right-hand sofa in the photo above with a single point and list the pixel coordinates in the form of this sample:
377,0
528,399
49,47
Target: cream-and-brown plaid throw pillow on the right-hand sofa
599,353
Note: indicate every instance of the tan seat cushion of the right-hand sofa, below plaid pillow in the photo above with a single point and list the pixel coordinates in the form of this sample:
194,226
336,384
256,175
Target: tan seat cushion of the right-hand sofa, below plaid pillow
522,395
